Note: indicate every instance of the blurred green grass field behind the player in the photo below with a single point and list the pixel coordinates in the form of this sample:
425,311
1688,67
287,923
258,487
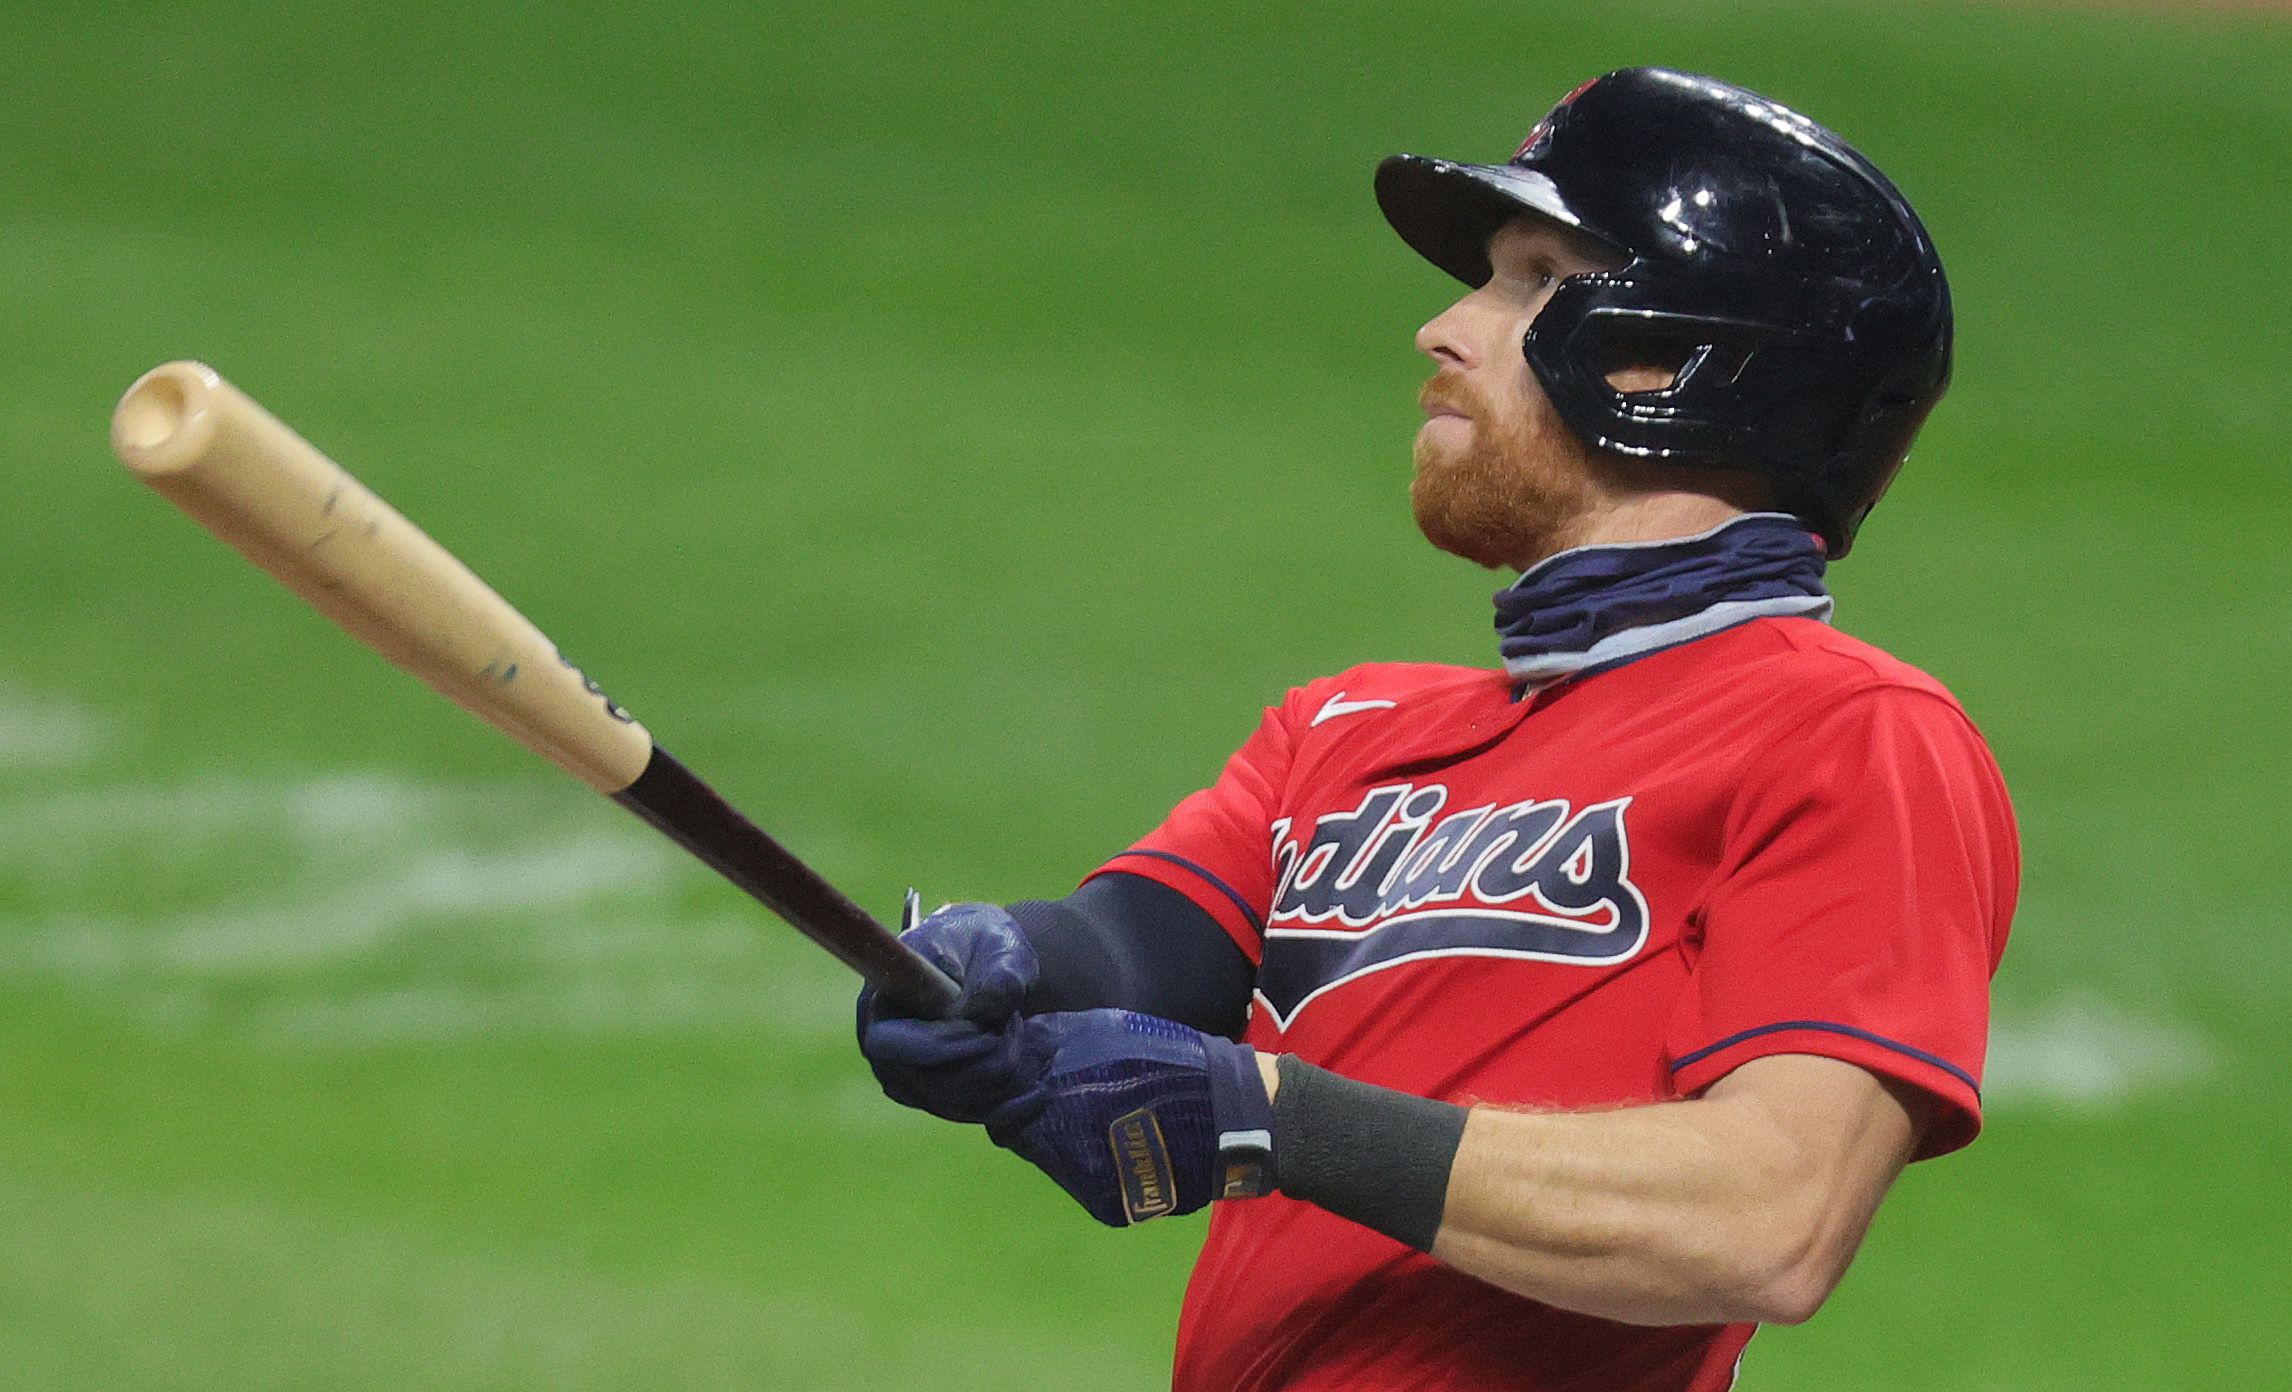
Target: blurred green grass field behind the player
948,428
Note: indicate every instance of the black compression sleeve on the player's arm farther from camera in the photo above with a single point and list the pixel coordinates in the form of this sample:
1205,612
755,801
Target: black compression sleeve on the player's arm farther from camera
1136,944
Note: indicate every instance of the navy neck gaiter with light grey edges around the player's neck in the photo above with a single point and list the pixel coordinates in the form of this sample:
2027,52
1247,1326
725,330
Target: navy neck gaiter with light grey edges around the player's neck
1601,607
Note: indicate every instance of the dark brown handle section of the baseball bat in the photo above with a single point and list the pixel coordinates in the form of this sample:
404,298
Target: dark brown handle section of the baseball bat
693,815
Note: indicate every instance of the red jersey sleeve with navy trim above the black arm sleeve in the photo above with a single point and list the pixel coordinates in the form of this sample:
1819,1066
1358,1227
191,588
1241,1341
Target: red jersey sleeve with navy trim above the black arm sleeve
1216,847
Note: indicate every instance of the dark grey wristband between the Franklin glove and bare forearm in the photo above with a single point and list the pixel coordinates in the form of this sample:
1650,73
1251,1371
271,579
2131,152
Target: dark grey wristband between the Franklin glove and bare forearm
1363,1152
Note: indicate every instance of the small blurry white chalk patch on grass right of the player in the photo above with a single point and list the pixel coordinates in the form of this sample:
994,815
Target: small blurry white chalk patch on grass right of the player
2087,1054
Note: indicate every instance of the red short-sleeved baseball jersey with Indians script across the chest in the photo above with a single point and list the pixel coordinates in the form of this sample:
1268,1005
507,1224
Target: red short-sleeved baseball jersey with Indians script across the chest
1617,891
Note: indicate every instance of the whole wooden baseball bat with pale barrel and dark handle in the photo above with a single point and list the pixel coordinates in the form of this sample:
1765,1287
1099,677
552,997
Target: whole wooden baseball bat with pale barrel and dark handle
205,446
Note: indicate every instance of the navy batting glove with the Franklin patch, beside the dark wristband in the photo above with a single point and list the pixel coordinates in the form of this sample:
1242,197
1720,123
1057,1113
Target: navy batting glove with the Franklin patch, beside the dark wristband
1138,1116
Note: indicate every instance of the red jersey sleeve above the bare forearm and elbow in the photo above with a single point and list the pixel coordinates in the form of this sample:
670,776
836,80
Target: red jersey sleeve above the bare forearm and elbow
1862,902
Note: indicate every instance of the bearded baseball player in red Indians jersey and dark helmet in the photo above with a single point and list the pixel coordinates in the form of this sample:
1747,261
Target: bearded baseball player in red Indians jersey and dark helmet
1557,1024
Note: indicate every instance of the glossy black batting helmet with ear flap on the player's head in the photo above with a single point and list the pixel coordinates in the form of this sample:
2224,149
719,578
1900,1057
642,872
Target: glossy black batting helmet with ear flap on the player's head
1768,260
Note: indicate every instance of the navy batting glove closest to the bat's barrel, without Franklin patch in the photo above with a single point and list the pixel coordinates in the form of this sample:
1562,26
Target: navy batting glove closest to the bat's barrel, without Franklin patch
973,1063
